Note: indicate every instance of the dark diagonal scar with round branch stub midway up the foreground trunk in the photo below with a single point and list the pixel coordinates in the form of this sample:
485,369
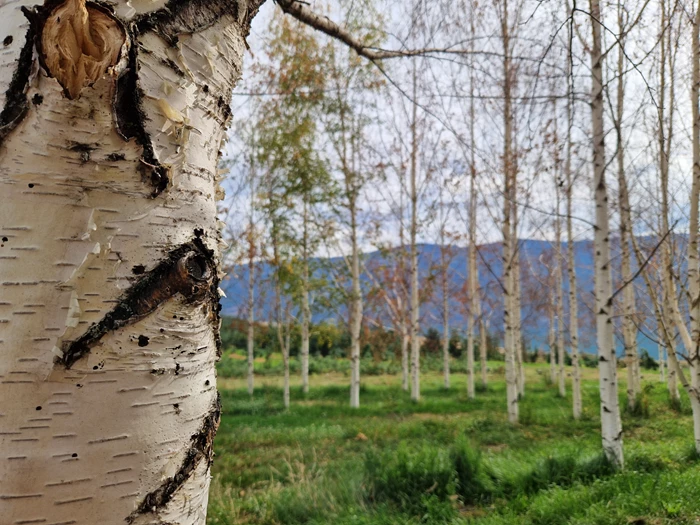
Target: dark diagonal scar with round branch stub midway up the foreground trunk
188,270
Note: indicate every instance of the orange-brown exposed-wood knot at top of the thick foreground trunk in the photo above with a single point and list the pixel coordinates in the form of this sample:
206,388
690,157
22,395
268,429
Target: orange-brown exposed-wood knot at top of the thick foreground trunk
80,43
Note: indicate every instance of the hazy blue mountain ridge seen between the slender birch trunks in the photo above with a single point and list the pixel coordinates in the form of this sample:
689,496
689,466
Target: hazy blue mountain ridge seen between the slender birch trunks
537,289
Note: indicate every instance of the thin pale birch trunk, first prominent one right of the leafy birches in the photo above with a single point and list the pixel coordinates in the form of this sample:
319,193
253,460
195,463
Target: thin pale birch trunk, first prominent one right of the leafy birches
415,304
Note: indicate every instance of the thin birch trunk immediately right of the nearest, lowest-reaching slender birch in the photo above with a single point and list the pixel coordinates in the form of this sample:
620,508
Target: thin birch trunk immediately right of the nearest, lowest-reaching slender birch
629,332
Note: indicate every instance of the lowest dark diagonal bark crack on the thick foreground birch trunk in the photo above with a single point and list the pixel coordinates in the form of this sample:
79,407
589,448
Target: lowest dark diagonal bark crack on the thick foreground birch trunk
201,448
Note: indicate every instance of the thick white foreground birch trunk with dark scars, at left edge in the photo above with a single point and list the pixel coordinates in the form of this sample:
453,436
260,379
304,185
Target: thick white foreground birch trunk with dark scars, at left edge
109,260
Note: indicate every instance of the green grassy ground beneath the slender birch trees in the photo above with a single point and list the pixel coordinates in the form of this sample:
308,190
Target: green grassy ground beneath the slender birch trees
446,460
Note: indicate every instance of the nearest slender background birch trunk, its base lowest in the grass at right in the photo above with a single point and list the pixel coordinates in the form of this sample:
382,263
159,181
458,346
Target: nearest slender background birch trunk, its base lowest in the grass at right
611,424
